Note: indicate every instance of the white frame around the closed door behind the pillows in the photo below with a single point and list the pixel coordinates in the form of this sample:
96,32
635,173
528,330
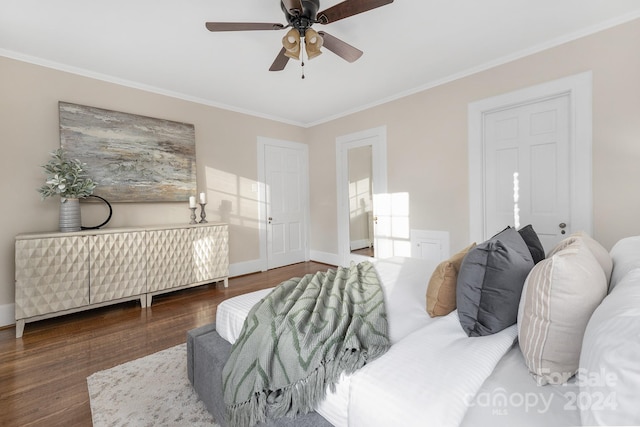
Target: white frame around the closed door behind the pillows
579,89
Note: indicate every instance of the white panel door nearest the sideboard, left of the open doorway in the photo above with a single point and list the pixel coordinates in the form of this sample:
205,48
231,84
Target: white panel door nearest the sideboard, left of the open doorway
284,169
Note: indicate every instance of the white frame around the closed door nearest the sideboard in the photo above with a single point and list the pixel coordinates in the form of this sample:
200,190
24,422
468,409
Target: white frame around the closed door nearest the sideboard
262,195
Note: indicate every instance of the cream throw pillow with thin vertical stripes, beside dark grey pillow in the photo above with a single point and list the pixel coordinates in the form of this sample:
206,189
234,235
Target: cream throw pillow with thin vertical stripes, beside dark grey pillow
559,296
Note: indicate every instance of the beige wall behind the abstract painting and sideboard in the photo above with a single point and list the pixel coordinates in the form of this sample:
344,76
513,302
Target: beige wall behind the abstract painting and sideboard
226,151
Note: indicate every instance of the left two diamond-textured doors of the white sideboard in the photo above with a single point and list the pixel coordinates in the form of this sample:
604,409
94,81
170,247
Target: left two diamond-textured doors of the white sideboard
55,274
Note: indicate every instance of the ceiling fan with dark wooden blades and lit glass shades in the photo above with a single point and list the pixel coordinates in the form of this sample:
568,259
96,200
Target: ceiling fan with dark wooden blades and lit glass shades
301,15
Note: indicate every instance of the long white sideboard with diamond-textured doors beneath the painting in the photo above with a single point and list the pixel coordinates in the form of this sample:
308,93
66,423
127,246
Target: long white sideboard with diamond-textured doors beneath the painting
62,273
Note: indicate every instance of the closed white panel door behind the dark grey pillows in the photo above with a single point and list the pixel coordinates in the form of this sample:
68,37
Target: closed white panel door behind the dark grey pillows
527,169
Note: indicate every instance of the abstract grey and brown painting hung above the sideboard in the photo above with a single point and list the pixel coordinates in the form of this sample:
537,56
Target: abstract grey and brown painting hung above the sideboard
132,158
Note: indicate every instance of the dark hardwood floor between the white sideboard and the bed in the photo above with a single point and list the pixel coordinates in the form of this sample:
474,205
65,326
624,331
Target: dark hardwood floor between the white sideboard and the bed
43,374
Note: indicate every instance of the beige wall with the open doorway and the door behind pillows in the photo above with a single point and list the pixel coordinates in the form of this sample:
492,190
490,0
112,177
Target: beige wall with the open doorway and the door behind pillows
427,139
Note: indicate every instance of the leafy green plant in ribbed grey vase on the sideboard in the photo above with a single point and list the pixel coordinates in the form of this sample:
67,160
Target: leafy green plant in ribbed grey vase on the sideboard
68,179
